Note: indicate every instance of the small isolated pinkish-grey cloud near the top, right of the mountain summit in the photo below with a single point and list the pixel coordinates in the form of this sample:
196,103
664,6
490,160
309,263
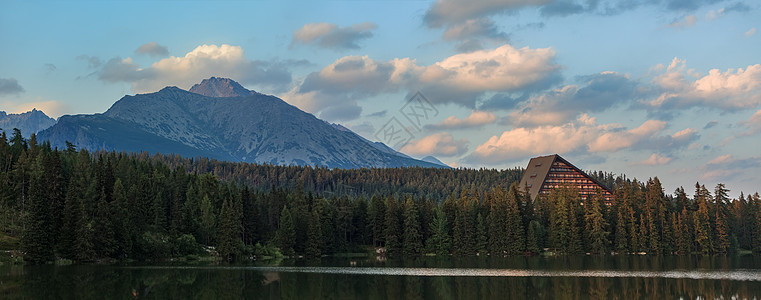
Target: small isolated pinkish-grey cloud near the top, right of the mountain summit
331,36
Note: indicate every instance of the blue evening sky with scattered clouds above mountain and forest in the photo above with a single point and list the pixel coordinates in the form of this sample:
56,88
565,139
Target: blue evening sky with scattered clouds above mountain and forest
666,88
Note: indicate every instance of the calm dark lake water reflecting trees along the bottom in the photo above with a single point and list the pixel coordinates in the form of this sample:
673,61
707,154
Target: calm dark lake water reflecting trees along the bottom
620,277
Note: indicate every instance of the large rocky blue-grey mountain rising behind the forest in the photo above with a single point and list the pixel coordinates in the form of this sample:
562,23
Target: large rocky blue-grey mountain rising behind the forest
248,127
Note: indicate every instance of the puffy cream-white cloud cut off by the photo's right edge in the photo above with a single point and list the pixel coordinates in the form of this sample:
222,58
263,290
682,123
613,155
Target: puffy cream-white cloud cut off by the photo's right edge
732,90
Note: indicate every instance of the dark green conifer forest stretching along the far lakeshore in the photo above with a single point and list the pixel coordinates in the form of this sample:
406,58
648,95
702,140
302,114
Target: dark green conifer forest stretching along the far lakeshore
107,206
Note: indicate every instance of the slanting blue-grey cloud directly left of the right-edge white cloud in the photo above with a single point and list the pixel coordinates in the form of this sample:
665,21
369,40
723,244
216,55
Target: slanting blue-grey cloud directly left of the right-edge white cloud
600,92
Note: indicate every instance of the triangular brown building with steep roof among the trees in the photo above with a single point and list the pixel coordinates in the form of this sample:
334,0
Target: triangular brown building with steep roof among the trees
546,173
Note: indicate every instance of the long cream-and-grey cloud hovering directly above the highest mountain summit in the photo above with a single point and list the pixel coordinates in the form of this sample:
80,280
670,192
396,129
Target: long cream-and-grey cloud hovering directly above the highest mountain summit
202,62
